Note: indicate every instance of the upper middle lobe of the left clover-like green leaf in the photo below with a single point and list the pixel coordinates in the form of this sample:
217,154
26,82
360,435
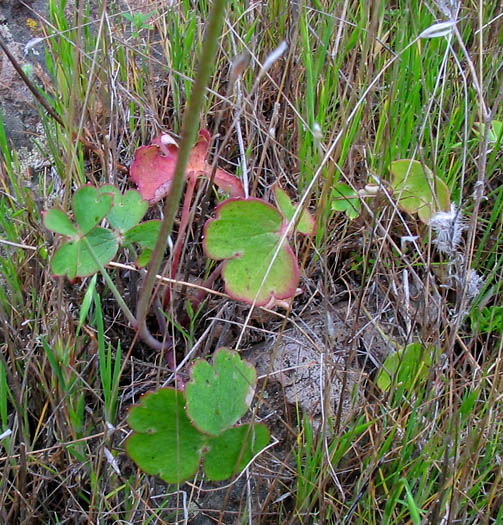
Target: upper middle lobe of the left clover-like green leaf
90,207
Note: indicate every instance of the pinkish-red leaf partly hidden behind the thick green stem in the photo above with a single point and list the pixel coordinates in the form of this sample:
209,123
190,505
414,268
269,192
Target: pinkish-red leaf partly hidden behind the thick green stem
153,167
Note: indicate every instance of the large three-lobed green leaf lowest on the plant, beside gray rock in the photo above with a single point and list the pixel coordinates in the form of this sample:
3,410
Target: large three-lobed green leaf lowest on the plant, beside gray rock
173,430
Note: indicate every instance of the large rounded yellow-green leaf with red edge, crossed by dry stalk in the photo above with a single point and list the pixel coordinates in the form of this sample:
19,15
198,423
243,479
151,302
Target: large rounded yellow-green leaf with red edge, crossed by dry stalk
246,234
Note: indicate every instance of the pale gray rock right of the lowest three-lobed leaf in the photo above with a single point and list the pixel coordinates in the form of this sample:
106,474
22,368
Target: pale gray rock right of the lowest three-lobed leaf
315,375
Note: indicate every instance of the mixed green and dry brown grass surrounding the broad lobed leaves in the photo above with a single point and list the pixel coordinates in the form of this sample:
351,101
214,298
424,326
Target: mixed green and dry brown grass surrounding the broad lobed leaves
314,99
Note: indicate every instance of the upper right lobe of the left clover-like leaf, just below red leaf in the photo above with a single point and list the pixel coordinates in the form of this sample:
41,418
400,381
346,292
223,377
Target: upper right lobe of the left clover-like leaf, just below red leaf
128,209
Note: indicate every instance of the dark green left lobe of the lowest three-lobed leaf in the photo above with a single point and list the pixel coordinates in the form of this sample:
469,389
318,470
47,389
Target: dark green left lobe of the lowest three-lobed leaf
164,442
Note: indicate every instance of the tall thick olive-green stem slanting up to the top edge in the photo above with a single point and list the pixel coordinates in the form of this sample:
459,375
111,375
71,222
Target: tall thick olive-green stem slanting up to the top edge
189,130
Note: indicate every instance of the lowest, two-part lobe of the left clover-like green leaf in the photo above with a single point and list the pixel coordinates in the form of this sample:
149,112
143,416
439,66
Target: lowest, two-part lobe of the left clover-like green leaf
74,258
